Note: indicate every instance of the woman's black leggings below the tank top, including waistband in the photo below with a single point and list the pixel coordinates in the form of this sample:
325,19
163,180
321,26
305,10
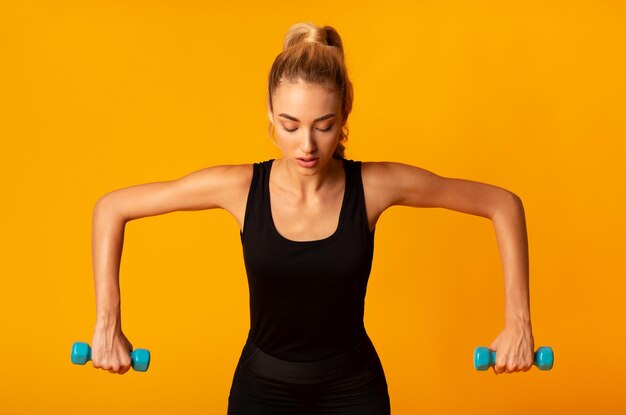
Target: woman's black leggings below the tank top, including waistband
351,383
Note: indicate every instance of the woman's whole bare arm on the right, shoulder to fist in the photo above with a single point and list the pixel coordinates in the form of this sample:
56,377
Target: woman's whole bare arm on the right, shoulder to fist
403,184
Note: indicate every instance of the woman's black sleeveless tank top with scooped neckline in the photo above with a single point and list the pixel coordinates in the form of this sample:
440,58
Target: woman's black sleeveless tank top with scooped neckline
307,297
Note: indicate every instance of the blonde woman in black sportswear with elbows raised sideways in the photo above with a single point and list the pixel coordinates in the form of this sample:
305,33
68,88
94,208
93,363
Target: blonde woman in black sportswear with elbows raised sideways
307,223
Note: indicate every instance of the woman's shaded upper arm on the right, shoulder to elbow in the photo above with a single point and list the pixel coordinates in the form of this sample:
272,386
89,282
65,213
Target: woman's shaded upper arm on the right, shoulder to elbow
404,184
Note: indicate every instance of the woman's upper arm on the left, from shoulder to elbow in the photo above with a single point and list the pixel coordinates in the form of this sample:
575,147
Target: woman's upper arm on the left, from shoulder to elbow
208,188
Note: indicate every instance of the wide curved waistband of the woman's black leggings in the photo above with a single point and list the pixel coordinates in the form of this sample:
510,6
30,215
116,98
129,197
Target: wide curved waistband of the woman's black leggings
270,367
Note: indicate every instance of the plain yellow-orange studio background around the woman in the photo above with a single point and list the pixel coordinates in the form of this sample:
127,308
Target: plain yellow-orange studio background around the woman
529,96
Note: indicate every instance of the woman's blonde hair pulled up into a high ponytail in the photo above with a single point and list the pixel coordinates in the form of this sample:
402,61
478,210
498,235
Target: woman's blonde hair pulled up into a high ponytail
315,55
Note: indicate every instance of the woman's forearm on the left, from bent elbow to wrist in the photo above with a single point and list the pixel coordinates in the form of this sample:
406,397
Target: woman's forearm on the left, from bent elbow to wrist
107,243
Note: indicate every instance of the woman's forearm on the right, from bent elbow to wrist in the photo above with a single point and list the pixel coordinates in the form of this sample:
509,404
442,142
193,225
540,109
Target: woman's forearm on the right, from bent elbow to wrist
510,225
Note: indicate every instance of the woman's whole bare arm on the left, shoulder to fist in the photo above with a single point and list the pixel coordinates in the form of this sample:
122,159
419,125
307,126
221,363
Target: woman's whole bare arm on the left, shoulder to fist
213,187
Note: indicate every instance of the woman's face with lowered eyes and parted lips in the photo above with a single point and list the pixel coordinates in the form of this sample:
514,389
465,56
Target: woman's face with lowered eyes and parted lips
307,122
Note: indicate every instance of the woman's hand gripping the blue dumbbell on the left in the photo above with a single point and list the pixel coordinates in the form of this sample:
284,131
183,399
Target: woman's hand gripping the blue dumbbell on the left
110,349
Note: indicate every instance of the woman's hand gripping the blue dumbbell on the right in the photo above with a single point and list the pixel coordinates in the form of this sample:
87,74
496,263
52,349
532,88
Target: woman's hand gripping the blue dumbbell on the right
514,348
